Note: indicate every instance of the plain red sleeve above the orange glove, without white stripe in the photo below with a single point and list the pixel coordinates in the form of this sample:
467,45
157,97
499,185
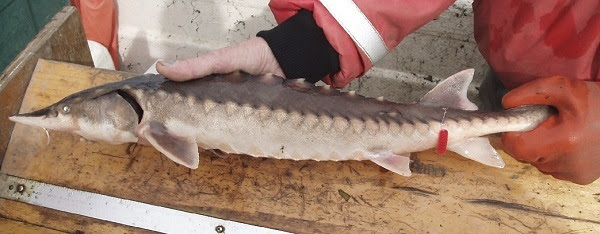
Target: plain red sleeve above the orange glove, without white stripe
529,39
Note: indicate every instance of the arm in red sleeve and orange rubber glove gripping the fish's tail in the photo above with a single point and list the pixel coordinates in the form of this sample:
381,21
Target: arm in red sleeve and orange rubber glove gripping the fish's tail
548,53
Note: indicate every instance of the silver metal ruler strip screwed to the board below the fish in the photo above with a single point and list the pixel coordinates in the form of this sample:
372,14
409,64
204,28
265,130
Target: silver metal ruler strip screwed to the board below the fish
113,209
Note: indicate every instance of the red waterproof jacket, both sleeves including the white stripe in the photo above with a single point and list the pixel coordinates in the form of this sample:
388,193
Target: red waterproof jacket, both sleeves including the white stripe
521,39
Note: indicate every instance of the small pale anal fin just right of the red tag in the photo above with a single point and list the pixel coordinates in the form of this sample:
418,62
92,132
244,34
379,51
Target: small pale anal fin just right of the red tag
479,149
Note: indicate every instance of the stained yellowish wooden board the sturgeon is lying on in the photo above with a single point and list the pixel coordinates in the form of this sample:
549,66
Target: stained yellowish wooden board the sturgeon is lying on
446,193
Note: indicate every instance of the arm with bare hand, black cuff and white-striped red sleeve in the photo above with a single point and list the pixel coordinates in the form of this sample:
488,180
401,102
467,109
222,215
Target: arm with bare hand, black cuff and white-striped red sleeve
345,58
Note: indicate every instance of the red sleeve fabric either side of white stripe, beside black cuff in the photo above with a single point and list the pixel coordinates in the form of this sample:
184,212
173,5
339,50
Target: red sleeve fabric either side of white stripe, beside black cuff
393,20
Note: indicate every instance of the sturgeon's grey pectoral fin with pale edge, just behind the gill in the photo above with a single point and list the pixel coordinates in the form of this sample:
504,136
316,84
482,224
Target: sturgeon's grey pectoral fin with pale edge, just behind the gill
182,150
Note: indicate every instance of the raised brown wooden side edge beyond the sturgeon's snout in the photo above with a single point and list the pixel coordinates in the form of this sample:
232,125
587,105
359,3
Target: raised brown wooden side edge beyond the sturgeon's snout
62,39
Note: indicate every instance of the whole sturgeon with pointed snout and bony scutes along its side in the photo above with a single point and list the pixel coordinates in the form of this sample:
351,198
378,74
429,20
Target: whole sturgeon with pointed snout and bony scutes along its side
268,116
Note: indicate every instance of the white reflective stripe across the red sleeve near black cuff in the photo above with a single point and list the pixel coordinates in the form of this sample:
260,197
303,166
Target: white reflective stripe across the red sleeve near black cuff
358,26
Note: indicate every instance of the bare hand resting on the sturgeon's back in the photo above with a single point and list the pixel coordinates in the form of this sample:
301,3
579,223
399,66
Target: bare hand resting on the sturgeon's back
253,56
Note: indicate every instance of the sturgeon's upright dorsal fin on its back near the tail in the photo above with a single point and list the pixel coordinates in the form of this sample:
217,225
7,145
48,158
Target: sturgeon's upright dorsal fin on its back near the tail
452,92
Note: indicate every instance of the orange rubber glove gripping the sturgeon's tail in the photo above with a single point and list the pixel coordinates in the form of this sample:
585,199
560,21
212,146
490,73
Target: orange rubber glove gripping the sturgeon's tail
567,145
